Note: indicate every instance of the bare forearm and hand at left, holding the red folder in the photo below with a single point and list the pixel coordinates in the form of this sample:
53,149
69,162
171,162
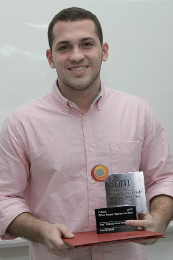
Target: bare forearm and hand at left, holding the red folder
30,227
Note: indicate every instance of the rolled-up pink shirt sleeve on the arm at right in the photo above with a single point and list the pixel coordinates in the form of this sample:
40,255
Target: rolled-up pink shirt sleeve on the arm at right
156,160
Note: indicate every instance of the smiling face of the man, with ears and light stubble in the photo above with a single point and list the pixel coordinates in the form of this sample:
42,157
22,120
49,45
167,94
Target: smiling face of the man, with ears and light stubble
77,54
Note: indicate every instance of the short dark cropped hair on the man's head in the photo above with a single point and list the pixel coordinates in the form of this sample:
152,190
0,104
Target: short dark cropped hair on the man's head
74,14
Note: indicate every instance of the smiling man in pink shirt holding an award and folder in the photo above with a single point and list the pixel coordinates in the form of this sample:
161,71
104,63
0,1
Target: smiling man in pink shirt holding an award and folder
49,146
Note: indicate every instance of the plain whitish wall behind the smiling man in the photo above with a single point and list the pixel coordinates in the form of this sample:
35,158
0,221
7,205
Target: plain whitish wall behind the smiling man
140,37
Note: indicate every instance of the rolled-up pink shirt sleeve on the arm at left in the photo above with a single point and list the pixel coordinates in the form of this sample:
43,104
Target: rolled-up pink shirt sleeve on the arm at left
14,174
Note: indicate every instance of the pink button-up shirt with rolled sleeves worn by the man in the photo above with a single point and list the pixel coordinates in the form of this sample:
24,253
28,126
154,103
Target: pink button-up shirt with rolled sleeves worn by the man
48,148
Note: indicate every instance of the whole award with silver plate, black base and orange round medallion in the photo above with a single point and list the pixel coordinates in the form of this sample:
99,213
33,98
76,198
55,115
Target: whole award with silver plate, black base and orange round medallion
125,195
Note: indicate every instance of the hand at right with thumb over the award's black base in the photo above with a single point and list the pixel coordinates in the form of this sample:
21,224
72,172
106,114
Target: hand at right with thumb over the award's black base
145,222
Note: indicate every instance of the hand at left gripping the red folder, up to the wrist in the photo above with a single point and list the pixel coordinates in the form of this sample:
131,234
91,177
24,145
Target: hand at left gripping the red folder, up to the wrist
52,238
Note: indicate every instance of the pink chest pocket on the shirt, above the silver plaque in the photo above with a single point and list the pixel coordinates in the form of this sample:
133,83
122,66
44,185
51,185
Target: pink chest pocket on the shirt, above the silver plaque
125,156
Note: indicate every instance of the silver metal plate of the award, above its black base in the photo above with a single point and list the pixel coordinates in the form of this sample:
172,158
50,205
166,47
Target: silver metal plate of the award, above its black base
126,189
